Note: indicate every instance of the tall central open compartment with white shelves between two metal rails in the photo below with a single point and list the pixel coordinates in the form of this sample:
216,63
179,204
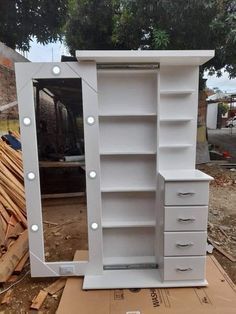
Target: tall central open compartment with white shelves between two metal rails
127,125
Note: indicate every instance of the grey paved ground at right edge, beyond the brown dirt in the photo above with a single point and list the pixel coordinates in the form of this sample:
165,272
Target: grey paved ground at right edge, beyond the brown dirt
226,140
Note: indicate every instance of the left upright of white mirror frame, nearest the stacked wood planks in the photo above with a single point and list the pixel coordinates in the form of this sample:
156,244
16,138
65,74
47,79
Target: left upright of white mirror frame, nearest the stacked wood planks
25,97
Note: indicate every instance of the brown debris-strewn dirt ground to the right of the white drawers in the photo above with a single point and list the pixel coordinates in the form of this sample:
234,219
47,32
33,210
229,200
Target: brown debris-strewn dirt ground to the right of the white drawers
222,214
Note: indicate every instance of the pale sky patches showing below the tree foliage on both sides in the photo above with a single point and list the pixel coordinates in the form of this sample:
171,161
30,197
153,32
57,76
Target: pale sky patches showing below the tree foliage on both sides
53,52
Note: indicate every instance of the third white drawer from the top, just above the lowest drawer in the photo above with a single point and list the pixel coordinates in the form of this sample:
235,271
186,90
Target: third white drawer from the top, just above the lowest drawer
185,243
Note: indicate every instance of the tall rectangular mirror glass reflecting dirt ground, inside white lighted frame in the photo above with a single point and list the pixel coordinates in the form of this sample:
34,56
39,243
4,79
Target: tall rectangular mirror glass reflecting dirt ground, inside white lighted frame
60,138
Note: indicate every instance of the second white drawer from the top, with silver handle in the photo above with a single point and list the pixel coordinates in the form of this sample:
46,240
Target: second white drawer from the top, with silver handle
186,218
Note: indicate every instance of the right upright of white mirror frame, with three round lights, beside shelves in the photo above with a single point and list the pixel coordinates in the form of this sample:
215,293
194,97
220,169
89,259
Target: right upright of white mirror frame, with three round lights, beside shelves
93,173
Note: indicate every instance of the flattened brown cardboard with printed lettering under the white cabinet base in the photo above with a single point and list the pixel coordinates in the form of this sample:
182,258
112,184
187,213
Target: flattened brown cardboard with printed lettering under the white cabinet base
218,298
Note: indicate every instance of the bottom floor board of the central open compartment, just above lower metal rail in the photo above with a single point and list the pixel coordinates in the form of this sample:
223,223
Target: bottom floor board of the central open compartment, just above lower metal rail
129,260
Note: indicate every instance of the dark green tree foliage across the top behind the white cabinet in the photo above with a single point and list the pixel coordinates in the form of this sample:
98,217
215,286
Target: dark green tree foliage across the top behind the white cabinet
126,24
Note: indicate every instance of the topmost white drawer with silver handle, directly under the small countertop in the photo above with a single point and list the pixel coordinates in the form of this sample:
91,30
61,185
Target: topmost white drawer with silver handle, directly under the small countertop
186,193
